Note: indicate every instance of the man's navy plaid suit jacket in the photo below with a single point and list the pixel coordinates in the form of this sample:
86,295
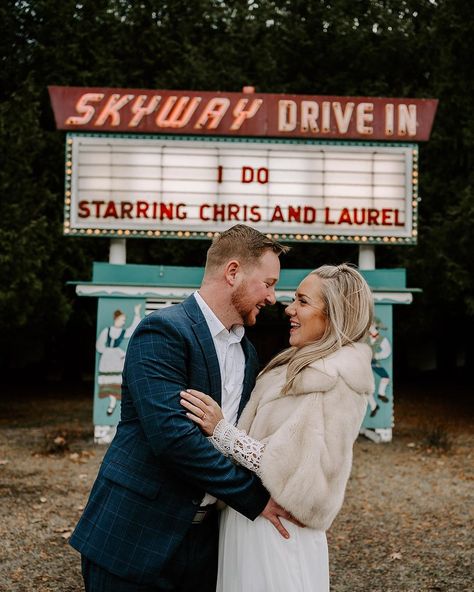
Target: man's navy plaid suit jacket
159,465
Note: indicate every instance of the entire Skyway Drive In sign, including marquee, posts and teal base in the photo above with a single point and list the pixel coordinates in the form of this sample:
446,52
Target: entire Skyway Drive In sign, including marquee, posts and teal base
190,164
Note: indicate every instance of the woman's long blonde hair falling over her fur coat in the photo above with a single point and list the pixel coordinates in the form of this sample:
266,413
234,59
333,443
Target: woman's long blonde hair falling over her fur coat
348,306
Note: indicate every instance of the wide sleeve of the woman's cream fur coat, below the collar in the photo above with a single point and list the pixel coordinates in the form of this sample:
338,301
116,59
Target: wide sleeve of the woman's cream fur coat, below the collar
307,462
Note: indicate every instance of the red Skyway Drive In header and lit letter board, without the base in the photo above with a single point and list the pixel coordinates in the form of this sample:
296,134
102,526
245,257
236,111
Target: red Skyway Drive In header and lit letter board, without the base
234,165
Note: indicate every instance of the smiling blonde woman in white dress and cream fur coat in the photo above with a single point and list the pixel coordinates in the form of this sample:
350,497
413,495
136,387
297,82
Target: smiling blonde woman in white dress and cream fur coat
297,433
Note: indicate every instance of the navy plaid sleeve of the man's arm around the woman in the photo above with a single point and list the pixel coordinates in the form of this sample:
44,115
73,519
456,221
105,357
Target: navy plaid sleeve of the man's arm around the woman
156,370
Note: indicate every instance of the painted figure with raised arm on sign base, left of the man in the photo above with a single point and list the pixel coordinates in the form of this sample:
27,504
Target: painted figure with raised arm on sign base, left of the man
112,356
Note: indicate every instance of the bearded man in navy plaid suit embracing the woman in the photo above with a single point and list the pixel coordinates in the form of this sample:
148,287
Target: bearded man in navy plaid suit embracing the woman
150,523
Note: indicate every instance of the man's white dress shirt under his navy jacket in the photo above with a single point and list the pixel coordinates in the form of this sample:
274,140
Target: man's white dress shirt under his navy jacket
231,365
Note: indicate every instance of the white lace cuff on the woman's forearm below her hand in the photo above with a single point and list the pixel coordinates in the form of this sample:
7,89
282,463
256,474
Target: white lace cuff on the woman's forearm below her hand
238,445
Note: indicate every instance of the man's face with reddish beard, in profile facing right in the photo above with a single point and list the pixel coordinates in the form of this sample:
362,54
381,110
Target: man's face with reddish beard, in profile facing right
256,288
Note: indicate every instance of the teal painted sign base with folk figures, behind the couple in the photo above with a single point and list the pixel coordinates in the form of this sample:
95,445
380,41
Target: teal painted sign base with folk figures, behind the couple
127,292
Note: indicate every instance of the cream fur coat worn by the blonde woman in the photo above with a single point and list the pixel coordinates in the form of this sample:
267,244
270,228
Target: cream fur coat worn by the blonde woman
309,433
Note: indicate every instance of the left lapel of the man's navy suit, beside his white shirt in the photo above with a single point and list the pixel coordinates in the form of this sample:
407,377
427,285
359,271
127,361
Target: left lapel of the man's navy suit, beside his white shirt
204,338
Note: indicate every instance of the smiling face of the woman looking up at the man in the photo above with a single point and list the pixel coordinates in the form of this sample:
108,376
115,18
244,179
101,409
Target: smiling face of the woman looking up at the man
307,317
